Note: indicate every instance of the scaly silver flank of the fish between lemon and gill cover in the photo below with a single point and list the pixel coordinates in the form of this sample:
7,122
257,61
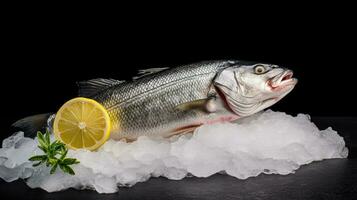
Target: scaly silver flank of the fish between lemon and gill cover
146,106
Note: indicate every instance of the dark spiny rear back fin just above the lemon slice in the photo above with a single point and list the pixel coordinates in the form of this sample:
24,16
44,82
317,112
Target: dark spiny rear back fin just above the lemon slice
91,87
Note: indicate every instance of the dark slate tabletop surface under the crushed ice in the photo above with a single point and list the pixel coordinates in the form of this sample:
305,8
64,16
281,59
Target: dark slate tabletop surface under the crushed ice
328,179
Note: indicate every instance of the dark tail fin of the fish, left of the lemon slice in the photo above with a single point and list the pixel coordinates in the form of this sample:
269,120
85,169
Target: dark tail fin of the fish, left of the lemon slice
30,125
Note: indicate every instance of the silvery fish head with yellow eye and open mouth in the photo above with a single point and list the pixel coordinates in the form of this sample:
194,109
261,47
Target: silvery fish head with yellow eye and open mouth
250,88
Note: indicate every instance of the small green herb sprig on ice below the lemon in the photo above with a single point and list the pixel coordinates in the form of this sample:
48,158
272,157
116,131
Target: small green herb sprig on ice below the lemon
55,154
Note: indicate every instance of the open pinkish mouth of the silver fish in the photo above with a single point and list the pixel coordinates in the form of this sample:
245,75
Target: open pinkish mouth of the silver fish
282,80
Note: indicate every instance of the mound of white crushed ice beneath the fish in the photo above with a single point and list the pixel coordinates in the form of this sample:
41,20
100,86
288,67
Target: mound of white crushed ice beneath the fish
268,142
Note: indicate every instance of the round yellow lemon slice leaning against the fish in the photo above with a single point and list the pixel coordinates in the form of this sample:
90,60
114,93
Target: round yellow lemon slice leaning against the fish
82,123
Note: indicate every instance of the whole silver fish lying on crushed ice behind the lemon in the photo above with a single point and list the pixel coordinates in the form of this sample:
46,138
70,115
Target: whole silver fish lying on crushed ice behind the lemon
172,101
